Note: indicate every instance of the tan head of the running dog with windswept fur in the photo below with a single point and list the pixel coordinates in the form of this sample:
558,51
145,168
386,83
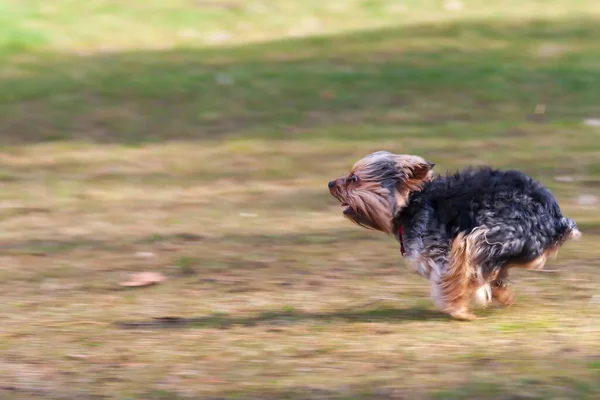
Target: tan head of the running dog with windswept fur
378,186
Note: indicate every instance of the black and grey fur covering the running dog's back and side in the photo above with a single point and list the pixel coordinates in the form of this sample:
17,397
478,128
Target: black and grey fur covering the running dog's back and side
522,216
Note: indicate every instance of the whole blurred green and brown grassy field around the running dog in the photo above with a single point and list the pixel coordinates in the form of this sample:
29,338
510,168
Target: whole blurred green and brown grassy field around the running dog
196,139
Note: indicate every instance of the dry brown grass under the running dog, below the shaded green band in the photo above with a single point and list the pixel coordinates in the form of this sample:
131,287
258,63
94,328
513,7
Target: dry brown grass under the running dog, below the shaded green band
273,276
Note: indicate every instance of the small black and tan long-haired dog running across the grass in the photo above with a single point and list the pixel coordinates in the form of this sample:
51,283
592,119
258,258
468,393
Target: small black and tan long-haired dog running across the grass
463,231
